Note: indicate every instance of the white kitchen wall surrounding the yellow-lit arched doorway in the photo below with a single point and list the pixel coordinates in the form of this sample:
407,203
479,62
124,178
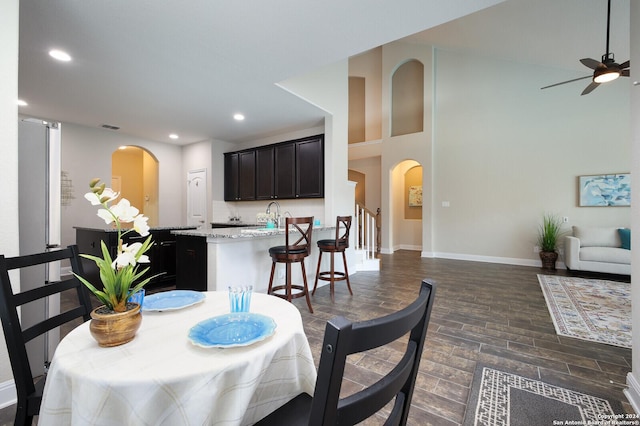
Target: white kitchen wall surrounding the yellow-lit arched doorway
86,154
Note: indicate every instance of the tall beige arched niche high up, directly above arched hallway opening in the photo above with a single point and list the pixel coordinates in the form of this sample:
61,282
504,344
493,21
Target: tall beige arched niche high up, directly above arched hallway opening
407,98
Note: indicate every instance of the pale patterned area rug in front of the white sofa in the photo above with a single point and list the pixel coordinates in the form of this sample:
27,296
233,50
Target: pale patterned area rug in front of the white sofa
589,309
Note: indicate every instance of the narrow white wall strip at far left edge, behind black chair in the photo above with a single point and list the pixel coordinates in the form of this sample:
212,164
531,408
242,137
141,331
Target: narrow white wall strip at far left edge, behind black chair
8,159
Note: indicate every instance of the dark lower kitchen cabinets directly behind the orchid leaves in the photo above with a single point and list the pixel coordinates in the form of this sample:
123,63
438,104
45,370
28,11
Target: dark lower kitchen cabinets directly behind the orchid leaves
162,255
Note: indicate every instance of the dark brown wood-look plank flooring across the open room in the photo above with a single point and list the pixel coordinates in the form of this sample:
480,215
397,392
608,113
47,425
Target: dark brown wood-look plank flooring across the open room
483,313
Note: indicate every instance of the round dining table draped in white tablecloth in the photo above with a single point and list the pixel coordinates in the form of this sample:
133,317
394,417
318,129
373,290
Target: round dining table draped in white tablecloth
169,375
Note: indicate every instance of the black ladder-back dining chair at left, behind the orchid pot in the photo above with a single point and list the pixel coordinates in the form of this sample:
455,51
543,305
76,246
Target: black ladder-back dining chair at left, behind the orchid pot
28,388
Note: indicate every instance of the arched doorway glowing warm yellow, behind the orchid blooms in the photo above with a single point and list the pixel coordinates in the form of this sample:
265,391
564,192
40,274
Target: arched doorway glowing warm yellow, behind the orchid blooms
134,173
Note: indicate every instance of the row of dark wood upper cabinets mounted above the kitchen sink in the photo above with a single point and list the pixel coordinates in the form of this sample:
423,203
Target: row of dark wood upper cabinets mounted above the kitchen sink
292,169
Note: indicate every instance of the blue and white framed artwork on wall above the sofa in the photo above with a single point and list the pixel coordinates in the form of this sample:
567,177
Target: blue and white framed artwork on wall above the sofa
605,190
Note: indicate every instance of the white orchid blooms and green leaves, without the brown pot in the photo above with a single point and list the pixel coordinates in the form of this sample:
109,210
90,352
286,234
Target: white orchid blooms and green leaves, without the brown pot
120,276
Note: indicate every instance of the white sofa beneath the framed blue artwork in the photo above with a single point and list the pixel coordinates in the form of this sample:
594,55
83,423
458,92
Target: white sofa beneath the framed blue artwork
597,250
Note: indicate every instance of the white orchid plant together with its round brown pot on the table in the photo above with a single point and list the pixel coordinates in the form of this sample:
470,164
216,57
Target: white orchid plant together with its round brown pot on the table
117,320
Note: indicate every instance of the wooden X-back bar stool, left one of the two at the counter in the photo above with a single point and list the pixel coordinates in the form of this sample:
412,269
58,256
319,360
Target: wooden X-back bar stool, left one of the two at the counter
292,253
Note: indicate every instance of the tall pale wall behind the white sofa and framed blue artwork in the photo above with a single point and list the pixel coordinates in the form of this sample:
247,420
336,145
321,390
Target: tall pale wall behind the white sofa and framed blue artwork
505,152
